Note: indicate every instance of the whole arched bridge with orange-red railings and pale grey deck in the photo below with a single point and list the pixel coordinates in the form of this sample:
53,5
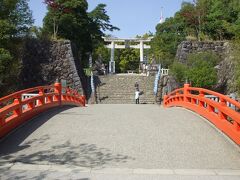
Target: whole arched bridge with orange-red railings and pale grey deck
119,141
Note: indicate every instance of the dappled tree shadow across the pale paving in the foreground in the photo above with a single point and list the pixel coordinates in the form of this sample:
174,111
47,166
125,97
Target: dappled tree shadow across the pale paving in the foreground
82,155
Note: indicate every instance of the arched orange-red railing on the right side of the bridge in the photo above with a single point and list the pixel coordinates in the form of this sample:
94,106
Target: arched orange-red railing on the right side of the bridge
219,109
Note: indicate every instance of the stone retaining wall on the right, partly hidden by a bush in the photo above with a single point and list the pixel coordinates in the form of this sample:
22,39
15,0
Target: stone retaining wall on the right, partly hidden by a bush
225,69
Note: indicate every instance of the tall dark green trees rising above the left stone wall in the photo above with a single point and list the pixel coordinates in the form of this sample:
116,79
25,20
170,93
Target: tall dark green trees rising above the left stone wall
70,20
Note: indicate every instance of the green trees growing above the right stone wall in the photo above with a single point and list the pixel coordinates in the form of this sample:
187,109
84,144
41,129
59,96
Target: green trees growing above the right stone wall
200,20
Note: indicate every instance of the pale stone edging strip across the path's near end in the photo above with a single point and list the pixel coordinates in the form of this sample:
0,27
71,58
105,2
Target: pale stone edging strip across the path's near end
70,168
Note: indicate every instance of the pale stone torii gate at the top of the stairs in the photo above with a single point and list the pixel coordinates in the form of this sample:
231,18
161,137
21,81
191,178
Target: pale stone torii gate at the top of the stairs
127,42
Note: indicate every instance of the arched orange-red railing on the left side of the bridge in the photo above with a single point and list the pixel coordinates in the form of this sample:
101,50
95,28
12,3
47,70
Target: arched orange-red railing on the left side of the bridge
21,106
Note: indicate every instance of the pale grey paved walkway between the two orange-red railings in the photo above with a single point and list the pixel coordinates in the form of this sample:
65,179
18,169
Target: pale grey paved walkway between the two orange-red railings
119,142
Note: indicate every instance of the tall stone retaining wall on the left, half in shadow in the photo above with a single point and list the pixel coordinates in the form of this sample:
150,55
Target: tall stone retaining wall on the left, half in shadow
44,62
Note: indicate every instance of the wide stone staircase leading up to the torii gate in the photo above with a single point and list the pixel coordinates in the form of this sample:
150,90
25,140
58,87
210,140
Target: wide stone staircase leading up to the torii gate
119,89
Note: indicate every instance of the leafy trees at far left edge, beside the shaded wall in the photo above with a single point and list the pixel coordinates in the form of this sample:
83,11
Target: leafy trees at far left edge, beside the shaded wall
15,23
